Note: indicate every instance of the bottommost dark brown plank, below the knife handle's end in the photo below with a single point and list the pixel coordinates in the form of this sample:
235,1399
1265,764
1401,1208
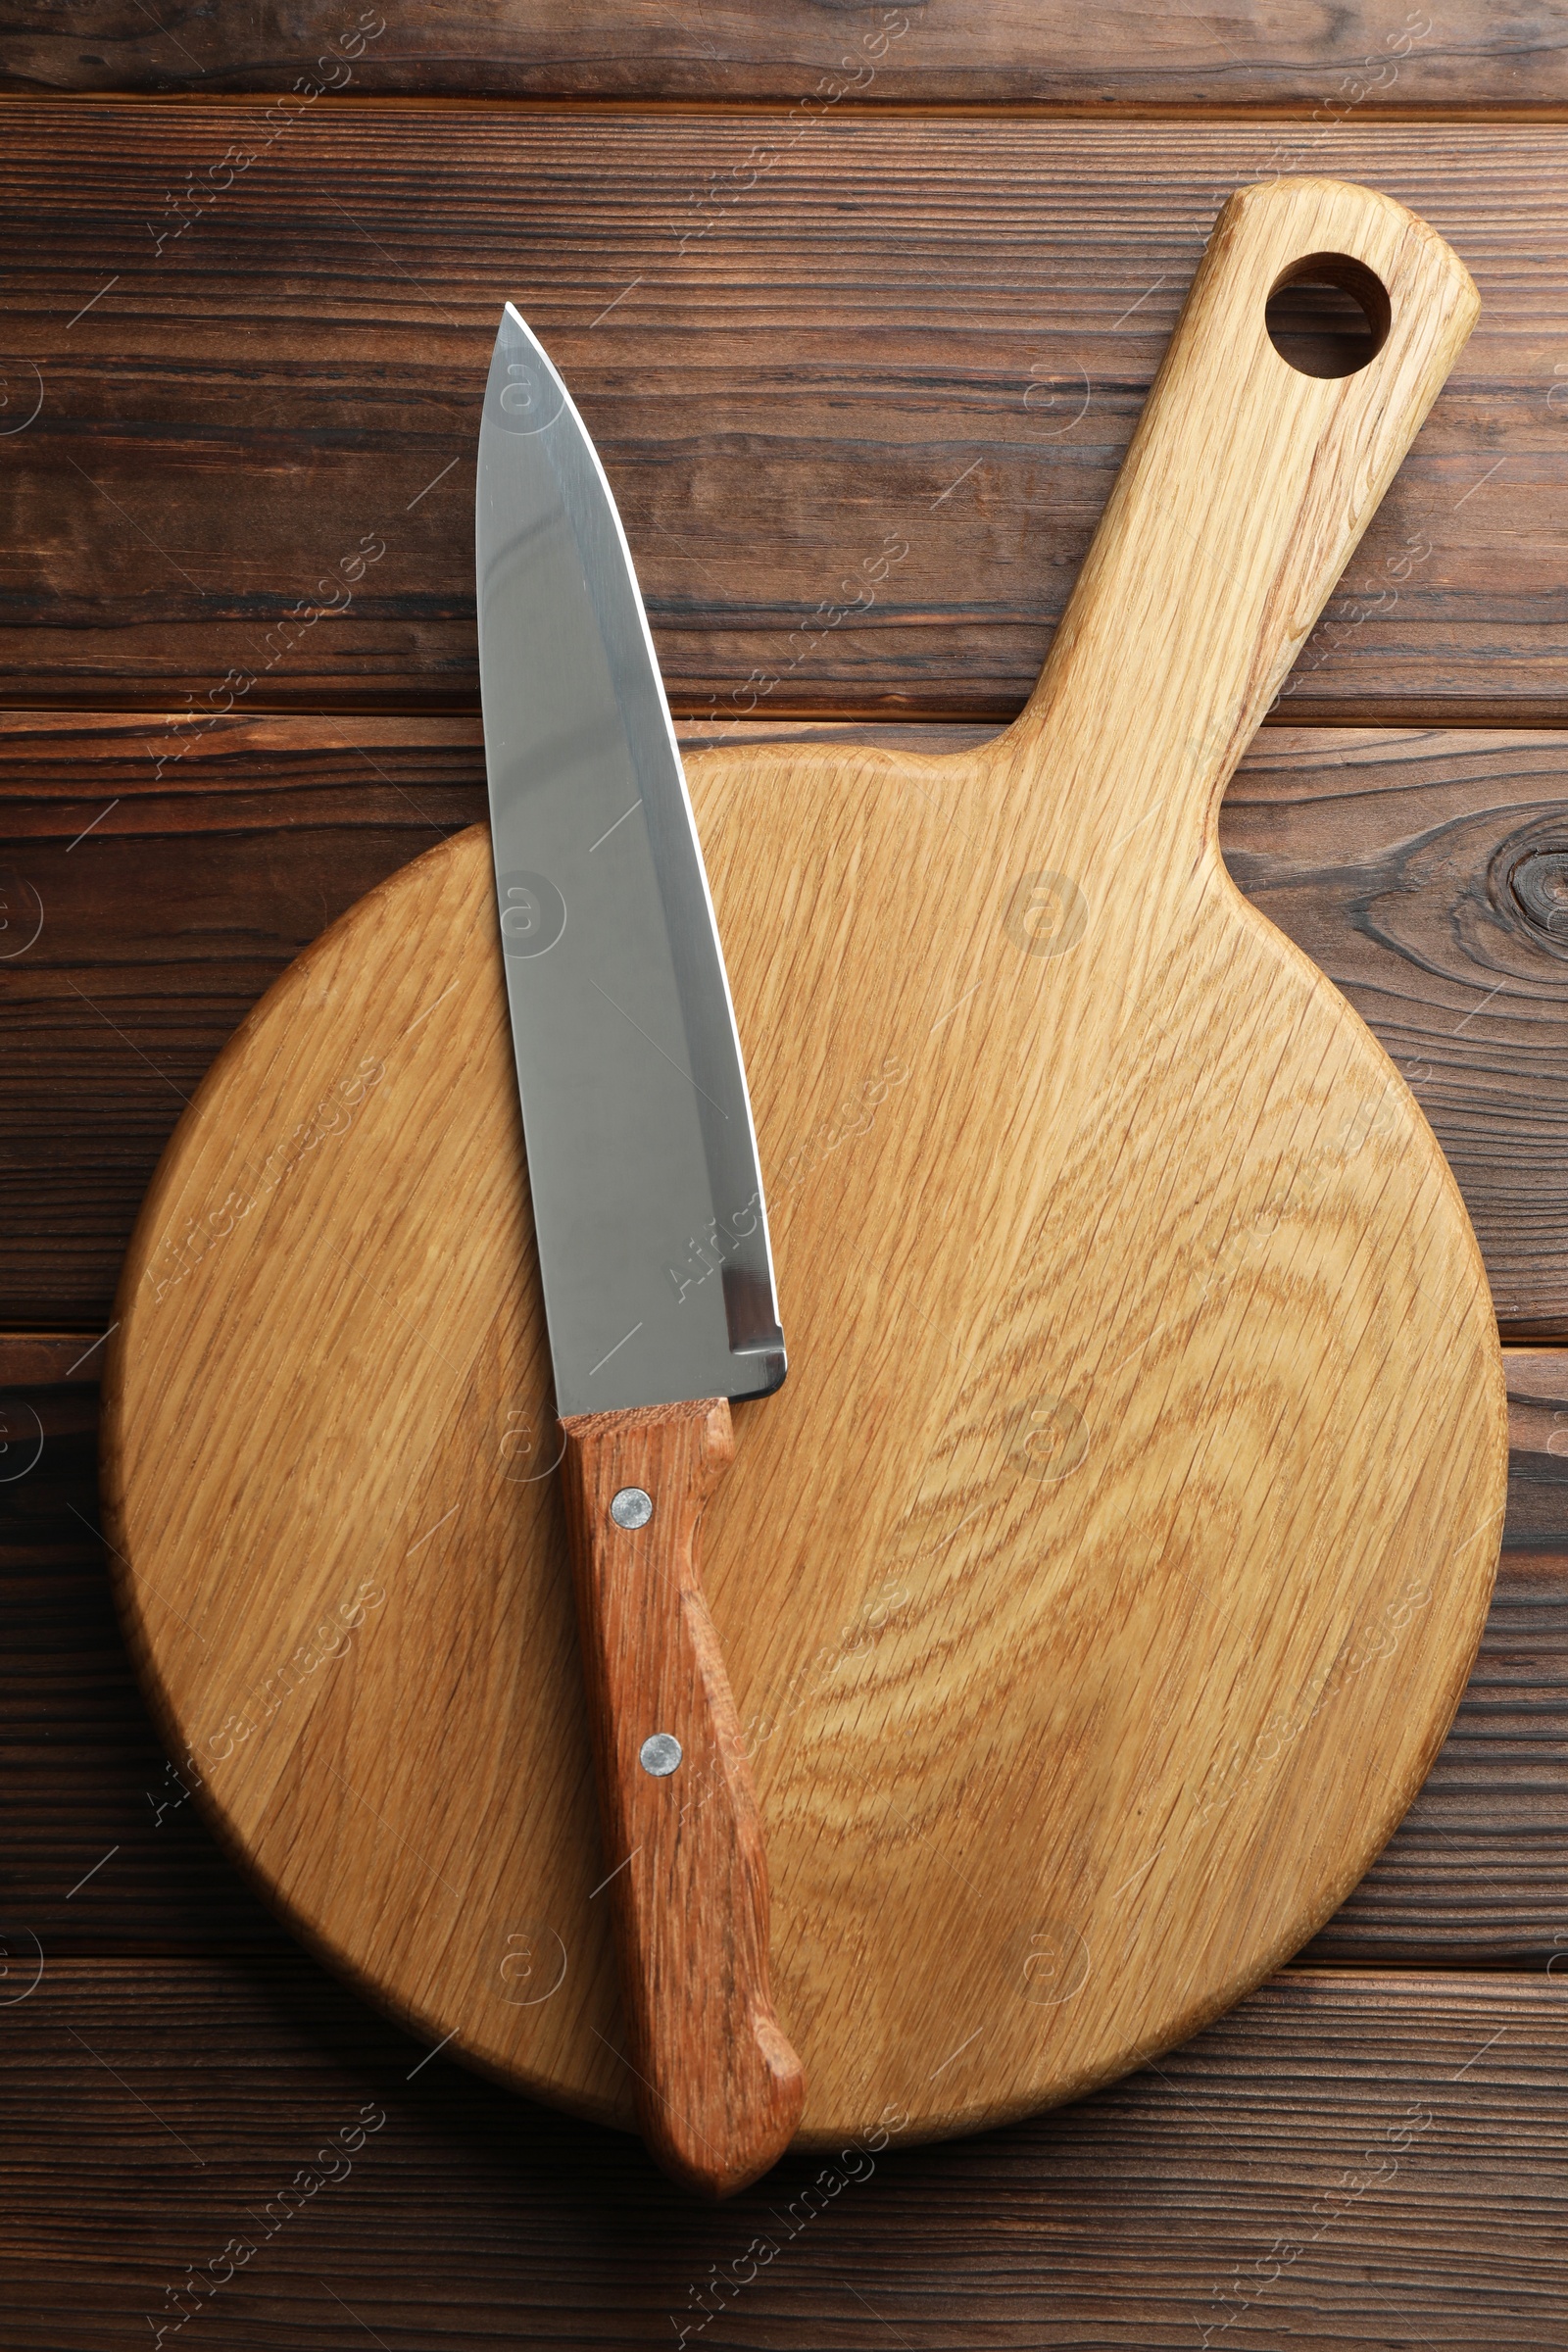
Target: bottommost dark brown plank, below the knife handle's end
1343,2163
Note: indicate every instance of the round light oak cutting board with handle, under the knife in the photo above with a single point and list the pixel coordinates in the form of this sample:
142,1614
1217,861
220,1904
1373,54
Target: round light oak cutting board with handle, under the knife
1106,1575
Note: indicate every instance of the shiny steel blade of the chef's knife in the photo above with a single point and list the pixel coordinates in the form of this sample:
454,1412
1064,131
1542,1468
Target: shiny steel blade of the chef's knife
643,1163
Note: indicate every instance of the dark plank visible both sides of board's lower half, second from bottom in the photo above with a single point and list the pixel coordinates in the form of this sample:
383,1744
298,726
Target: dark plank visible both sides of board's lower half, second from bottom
107,1855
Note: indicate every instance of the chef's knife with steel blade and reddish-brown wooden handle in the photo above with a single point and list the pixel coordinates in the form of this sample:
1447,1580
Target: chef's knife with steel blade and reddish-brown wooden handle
652,1248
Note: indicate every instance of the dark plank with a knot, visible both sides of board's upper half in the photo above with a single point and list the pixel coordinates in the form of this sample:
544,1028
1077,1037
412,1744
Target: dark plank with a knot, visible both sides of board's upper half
1416,869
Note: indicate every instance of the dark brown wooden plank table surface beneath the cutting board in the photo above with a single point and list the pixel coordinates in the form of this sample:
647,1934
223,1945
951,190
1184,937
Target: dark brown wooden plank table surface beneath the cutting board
815,276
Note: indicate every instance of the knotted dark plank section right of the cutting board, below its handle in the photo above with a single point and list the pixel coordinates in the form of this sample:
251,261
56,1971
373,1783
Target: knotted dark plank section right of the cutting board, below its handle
1428,876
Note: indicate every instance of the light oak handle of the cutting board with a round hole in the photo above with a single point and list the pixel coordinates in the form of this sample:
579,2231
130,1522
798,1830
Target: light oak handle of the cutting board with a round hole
1245,490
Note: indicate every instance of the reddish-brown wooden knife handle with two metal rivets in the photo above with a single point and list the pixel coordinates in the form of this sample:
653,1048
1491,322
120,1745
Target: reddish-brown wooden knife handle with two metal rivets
718,2085
